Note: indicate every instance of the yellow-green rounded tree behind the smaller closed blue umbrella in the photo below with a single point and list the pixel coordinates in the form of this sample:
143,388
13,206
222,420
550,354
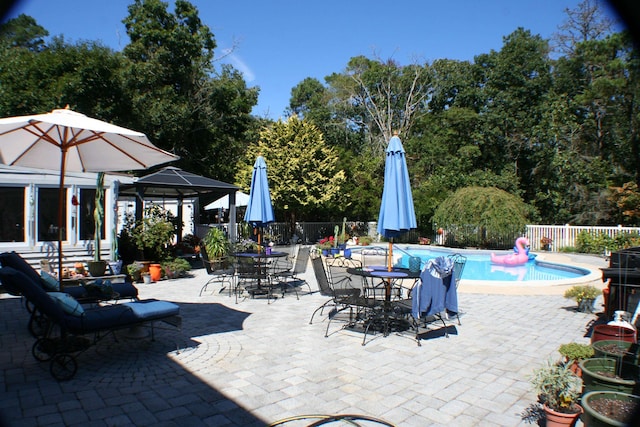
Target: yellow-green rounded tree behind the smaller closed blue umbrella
302,170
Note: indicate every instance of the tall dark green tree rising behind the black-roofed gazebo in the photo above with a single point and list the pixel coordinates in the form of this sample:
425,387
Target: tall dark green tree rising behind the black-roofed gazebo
176,100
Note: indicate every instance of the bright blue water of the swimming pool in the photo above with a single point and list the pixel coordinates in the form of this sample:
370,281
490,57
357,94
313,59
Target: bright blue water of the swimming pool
480,267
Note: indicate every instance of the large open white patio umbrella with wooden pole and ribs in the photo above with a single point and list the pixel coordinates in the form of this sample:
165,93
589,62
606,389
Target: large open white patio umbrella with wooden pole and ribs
64,140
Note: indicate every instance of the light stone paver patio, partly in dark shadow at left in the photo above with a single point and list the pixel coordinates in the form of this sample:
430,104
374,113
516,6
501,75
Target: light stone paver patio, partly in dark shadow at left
252,363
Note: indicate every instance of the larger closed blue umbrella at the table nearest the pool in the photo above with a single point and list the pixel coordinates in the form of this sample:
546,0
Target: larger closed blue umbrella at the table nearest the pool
397,214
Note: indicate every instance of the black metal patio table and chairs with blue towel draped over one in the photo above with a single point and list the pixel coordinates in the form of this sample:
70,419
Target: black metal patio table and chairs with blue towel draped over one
372,298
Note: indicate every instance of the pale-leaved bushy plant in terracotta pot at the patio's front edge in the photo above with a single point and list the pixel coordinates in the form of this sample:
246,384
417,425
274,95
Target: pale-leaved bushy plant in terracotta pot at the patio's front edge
558,390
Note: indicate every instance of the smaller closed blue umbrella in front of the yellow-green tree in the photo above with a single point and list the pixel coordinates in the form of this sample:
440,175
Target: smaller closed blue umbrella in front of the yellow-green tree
259,209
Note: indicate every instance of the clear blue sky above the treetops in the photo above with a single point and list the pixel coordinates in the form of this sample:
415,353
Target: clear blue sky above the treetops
279,43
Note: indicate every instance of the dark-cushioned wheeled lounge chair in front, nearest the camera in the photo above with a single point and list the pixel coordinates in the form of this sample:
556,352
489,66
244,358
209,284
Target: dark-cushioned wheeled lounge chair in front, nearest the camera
68,321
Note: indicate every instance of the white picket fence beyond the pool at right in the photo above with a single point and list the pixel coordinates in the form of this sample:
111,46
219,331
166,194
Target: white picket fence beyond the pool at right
565,235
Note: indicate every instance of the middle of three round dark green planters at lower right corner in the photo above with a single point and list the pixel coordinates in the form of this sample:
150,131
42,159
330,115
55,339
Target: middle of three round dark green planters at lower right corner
598,375
